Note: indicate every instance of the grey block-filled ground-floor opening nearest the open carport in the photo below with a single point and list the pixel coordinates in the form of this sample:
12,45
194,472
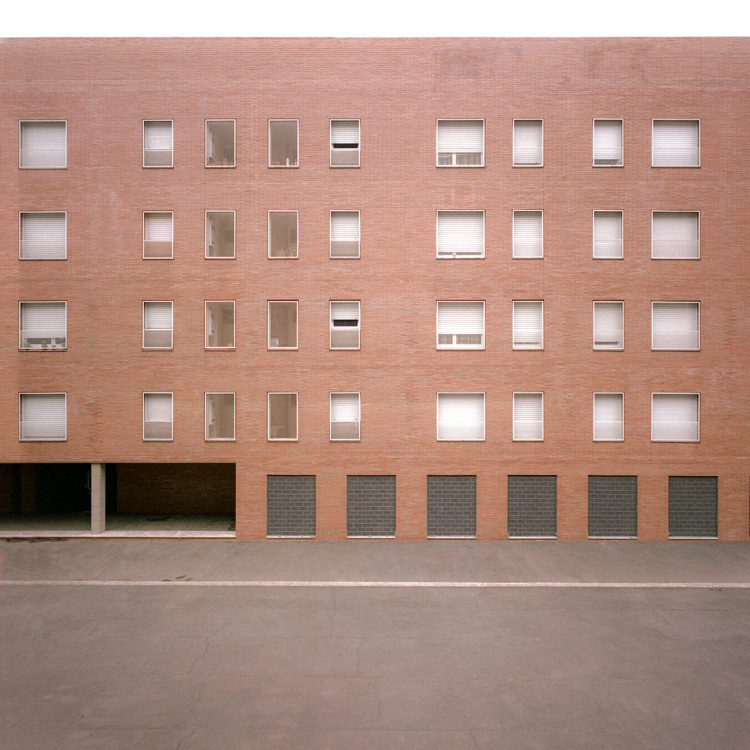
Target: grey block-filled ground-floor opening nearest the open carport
290,502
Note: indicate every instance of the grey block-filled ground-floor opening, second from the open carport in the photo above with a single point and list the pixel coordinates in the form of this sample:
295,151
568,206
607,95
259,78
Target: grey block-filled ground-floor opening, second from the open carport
371,505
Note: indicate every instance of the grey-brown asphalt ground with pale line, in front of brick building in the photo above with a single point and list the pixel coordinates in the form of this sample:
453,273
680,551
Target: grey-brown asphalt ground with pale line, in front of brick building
195,645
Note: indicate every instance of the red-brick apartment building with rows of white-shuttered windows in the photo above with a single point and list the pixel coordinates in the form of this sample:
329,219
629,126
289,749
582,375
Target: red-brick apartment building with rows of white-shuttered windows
408,288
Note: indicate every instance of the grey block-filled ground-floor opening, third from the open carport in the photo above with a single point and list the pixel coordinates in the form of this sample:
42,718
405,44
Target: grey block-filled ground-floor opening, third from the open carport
451,506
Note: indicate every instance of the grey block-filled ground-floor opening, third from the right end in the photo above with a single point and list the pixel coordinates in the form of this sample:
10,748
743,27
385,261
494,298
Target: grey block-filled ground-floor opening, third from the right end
532,506
